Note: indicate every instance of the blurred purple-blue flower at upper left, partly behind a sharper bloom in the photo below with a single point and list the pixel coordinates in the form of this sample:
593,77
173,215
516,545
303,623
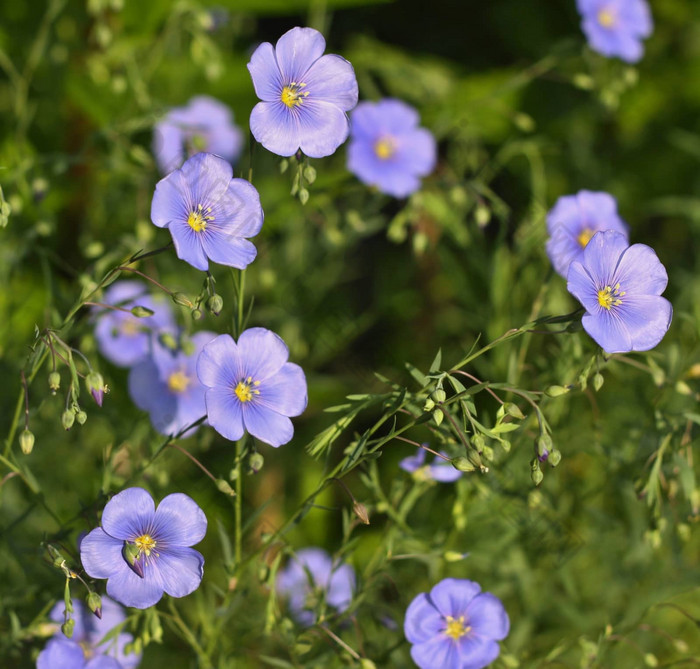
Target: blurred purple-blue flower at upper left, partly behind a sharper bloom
204,124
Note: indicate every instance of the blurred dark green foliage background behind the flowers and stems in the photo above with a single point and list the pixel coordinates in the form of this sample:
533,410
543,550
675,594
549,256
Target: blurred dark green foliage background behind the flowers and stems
598,566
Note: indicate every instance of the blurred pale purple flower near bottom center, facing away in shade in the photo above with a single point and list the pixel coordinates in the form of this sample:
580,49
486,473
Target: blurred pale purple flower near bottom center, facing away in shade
311,577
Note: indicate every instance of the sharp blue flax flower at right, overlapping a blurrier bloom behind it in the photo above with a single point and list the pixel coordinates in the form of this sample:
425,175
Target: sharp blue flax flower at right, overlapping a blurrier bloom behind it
620,288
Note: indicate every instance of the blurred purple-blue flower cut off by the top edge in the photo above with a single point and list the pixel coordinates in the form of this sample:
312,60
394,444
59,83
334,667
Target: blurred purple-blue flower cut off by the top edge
616,27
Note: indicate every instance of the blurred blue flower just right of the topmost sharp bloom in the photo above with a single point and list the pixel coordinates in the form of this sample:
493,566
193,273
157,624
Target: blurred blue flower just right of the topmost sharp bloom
387,149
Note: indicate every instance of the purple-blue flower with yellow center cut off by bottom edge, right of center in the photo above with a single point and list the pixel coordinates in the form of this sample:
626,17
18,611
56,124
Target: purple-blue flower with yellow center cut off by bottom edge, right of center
455,626
